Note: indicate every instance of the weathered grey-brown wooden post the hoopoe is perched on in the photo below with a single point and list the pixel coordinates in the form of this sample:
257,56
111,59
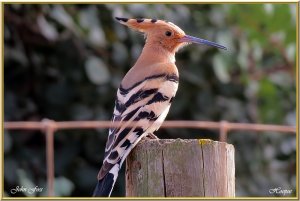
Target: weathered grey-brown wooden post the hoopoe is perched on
181,168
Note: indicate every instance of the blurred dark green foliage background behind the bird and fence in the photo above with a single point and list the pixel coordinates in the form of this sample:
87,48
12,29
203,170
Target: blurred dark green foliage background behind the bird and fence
65,62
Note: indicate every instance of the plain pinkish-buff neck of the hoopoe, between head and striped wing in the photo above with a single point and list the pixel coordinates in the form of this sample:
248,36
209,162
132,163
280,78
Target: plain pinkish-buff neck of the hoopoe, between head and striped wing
153,54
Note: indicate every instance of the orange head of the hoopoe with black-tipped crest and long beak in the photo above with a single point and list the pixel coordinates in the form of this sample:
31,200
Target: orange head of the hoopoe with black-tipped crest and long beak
164,34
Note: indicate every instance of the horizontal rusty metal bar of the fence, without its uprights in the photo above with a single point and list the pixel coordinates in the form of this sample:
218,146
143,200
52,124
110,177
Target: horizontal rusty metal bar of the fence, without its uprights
65,125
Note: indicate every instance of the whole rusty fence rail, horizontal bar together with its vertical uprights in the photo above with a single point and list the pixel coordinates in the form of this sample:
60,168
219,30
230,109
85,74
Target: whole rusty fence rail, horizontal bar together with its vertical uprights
49,127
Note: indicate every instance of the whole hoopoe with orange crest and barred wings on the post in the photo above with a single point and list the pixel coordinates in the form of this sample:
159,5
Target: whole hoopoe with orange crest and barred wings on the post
145,94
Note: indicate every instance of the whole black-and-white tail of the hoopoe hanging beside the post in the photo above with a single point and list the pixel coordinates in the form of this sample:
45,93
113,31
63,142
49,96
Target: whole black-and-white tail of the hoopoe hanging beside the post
105,185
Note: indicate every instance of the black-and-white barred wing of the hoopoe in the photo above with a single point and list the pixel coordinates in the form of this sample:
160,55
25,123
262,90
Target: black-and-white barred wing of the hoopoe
146,103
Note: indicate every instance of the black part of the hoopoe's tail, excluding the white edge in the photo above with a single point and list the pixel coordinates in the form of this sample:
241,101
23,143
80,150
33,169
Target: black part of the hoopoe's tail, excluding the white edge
104,186
